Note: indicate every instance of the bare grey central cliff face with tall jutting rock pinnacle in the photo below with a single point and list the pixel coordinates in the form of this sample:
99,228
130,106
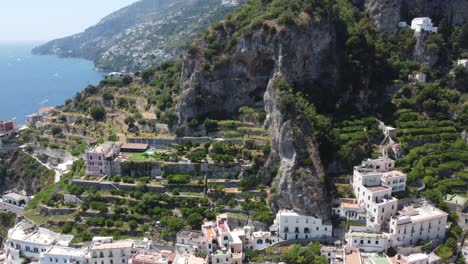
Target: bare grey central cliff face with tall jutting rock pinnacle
250,78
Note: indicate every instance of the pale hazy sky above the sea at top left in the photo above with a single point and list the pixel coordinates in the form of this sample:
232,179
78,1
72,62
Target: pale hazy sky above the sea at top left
50,19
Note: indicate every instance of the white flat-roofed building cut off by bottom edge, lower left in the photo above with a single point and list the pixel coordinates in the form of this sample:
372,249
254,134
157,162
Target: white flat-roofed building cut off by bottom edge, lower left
63,255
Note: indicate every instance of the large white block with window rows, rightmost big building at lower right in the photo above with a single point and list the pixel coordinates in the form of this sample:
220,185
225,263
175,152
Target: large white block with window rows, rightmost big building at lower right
426,223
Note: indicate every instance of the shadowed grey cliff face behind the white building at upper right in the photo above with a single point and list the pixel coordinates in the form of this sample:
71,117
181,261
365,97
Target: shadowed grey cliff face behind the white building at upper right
387,13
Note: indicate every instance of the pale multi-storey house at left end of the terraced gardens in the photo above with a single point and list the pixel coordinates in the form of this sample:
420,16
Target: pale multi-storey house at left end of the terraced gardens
99,159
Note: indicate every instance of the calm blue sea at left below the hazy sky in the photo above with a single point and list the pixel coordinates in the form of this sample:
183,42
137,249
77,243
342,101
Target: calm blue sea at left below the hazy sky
29,82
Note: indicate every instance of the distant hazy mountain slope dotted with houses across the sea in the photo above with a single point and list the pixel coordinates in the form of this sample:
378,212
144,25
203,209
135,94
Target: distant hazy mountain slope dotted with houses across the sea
142,34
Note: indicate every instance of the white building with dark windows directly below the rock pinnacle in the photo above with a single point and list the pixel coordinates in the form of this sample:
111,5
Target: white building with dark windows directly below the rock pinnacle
292,225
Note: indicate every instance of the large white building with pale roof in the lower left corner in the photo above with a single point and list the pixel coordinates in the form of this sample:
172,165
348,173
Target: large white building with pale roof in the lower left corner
29,241
